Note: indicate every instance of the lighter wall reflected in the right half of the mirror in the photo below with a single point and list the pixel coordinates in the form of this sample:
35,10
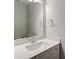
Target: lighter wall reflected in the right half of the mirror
35,18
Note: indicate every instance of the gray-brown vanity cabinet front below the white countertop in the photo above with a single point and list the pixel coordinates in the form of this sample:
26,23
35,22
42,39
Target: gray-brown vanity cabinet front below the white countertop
52,53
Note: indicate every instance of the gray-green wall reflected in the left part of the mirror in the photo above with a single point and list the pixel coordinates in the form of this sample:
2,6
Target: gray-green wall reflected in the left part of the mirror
20,21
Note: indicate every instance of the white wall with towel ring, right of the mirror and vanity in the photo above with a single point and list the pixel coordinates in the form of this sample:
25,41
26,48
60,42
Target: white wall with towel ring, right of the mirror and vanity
55,10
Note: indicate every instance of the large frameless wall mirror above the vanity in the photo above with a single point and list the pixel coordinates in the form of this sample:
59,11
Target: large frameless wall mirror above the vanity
28,18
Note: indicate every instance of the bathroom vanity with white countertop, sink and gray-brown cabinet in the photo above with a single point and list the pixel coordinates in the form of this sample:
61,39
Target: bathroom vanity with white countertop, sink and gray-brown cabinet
41,49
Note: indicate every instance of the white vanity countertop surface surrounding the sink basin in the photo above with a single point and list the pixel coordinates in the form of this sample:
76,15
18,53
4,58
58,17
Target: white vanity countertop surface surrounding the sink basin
20,51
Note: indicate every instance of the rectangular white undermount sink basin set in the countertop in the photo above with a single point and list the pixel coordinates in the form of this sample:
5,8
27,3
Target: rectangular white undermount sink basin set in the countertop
35,46
